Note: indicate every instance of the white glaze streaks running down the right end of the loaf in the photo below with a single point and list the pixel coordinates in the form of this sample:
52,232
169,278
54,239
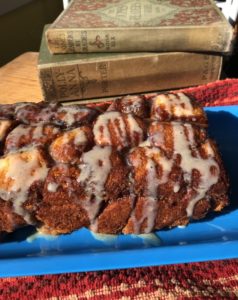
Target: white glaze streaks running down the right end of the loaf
182,145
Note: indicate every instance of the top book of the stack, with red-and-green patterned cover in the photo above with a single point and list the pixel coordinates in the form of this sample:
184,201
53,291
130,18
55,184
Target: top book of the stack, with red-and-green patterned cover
140,25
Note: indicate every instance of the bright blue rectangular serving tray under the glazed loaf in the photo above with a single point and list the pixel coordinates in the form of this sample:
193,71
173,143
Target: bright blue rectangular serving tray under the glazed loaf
215,237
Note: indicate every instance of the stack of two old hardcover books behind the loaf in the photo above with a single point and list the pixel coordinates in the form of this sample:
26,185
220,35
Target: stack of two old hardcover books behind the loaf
103,48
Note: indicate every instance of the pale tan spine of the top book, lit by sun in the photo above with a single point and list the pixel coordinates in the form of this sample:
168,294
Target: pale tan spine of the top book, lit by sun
214,39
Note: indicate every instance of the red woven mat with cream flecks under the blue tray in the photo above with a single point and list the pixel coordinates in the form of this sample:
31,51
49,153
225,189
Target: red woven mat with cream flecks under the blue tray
207,280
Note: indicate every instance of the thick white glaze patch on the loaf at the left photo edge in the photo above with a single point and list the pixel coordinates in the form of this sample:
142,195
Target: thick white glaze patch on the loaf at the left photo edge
19,171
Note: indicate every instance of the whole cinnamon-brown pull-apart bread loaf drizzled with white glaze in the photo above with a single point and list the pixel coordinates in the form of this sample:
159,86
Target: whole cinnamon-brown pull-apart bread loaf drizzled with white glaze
136,165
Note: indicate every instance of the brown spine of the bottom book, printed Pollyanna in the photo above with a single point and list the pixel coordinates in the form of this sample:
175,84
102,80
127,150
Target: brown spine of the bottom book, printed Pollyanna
152,72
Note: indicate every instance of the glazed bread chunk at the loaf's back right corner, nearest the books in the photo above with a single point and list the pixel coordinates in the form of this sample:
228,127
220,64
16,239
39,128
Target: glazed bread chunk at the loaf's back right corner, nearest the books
177,107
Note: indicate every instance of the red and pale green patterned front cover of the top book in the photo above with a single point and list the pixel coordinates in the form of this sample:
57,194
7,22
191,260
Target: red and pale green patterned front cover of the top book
138,13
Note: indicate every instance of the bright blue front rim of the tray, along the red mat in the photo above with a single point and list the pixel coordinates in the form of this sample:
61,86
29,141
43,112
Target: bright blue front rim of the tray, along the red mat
128,259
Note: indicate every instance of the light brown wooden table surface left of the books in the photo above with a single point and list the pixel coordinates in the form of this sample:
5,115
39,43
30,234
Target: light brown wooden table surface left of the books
19,80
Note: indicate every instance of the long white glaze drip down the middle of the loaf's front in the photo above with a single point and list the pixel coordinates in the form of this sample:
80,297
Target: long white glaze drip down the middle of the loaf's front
94,171
